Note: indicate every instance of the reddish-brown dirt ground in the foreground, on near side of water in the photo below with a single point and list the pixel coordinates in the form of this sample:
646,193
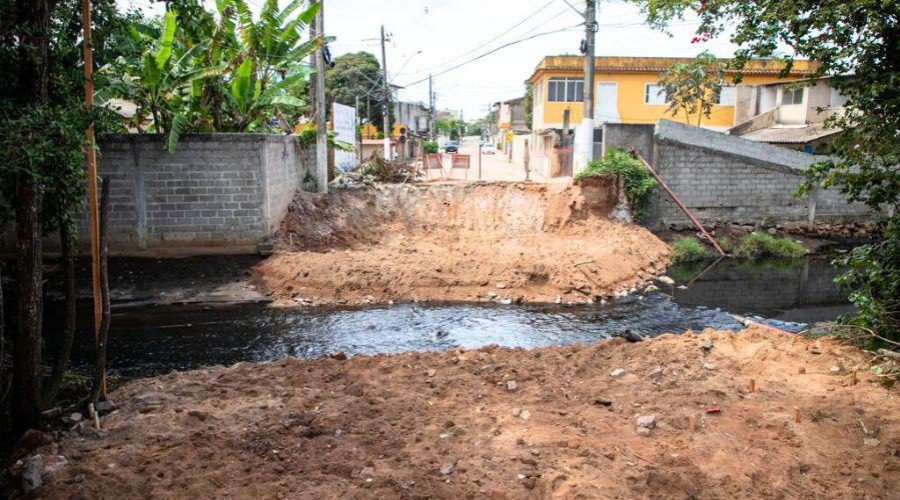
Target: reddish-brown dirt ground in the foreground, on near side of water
493,423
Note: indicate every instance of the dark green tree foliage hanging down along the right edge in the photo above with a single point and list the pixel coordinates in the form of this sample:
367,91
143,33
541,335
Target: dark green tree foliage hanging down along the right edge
852,37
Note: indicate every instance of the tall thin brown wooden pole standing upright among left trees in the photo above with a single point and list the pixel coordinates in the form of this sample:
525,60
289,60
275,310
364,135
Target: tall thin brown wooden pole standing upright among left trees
92,168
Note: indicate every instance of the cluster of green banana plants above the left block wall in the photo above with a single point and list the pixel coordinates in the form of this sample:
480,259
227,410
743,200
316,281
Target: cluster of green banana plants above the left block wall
196,72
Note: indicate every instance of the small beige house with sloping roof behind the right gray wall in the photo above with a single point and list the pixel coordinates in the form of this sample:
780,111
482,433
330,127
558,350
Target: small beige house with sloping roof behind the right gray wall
791,115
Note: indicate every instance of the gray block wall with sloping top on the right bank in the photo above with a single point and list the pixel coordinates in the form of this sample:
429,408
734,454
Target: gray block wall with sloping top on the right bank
722,178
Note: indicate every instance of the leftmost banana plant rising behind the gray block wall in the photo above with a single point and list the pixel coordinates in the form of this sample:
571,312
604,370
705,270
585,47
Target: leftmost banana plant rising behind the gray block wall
162,82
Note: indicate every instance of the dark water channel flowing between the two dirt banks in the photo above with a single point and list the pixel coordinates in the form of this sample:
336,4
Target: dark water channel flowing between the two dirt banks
155,340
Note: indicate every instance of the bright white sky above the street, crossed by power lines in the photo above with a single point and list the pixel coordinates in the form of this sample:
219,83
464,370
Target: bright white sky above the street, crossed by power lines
436,35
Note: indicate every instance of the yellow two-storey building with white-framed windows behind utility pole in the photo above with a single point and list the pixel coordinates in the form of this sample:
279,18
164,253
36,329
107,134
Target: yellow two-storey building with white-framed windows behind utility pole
628,92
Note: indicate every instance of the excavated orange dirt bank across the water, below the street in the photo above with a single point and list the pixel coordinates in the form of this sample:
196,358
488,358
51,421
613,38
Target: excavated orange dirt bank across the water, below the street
485,241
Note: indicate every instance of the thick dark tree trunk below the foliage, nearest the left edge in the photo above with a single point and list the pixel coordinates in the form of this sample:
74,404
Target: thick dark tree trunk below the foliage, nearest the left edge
26,394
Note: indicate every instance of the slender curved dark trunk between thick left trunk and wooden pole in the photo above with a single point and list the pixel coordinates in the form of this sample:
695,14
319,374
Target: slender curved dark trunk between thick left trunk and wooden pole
51,387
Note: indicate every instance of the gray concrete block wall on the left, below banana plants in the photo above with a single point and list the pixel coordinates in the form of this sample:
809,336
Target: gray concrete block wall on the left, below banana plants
218,193
